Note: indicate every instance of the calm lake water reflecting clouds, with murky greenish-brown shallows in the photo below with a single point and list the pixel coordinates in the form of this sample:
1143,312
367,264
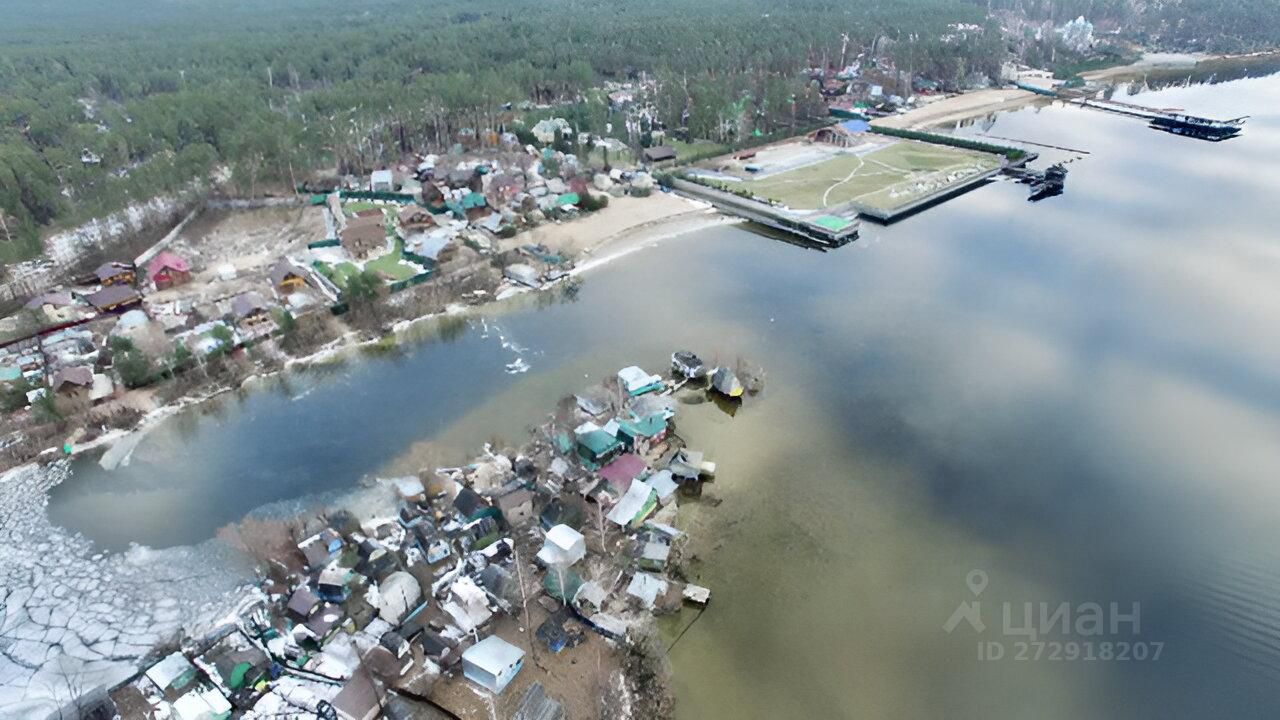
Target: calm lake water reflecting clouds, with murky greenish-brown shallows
1080,399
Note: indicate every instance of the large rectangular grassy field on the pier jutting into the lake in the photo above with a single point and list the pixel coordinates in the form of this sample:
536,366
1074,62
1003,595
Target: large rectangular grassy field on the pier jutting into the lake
872,179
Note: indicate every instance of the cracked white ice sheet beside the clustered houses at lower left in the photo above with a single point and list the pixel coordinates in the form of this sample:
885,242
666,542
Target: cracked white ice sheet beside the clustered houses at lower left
72,621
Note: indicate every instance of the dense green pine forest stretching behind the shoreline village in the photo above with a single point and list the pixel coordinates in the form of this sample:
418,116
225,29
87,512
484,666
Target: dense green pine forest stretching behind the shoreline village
109,103
